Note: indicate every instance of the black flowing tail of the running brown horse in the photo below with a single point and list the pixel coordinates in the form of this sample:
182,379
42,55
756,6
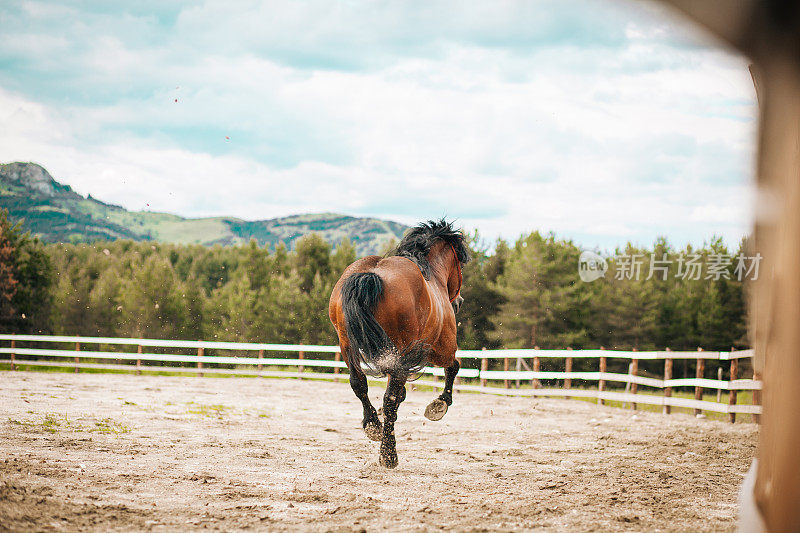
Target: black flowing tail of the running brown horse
371,349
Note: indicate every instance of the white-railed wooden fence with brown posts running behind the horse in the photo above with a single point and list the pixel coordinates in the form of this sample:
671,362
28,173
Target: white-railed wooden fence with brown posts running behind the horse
525,380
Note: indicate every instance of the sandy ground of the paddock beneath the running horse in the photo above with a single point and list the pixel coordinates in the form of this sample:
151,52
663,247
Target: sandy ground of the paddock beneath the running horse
121,452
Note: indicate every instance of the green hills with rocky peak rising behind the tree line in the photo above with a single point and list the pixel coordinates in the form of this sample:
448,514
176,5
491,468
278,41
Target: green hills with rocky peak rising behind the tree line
56,213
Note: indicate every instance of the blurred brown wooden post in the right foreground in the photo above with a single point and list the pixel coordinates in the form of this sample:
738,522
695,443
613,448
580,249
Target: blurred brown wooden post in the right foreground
768,31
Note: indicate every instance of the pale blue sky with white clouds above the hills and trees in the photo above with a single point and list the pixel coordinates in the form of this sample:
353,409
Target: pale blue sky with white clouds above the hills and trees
600,120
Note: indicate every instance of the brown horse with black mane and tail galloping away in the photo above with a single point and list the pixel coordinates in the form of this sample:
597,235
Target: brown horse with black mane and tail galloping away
396,314
